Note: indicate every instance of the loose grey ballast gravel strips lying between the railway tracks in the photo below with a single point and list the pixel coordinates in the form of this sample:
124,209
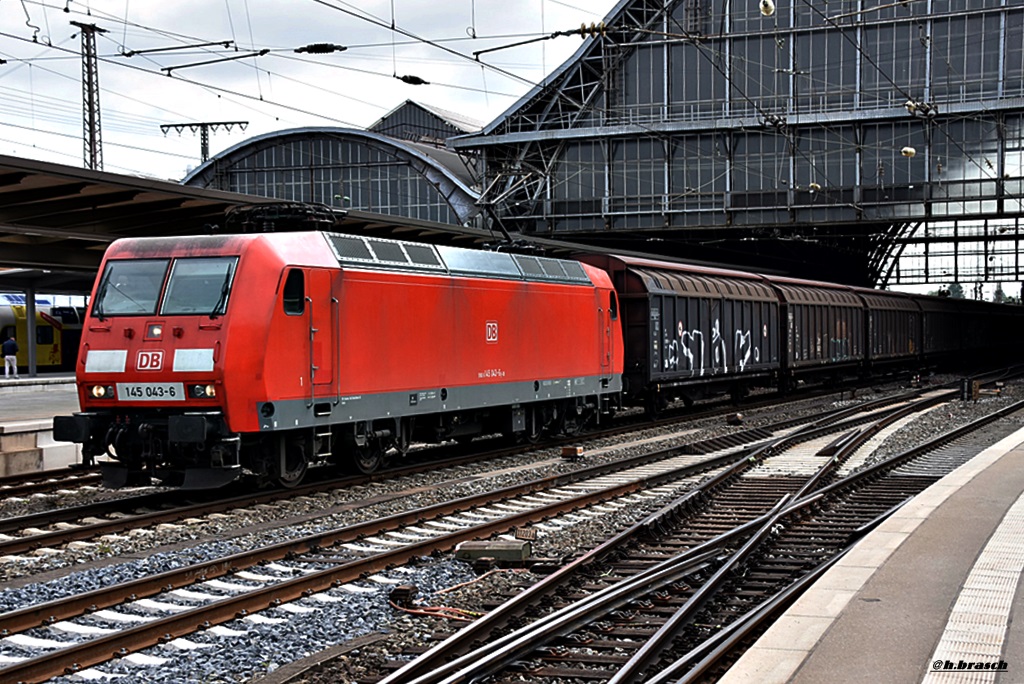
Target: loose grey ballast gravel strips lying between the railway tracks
255,647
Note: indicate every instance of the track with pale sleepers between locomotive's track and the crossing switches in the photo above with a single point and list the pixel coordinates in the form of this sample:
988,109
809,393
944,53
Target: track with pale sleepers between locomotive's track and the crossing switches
244,584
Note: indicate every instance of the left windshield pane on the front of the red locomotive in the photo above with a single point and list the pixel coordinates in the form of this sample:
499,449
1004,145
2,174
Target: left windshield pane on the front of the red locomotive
131,287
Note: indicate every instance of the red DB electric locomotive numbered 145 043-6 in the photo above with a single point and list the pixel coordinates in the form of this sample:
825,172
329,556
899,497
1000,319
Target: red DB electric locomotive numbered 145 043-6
206,358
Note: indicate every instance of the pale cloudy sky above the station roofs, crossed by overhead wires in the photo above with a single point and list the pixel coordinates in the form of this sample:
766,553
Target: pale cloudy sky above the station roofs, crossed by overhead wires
150,76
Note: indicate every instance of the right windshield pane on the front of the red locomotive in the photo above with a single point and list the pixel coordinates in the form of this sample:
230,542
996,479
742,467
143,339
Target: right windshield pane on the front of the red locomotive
199,286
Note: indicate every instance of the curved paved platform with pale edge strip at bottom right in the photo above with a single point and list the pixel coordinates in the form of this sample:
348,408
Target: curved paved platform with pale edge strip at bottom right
929,596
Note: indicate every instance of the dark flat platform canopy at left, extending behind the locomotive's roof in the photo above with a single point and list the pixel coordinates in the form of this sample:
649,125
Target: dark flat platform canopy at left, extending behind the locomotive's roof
57,222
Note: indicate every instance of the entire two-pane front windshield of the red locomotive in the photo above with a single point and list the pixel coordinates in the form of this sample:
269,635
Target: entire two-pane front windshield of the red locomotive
197,285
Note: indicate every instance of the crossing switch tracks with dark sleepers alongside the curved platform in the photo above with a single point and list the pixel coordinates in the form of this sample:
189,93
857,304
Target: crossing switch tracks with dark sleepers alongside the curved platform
681,592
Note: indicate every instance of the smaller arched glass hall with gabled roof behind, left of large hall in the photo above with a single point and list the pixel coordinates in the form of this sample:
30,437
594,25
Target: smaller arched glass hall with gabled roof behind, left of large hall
403,174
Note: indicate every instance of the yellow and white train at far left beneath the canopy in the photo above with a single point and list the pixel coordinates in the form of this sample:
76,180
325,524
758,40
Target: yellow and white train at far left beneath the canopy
59,332
